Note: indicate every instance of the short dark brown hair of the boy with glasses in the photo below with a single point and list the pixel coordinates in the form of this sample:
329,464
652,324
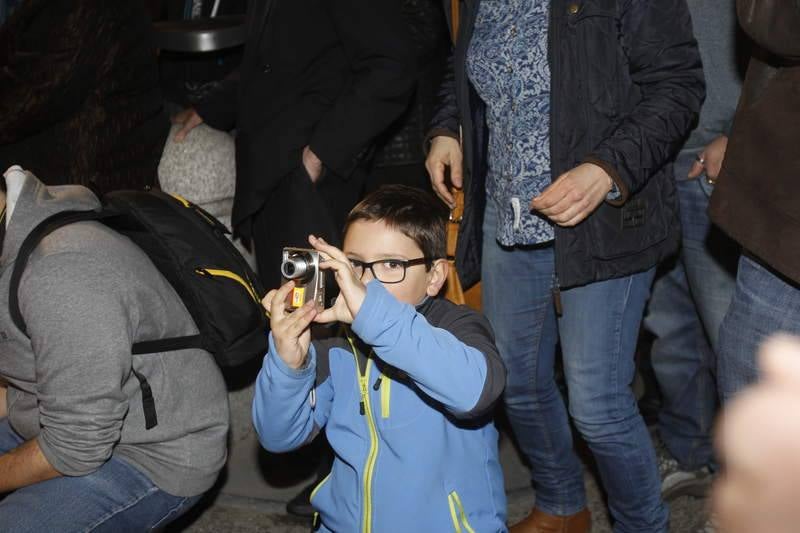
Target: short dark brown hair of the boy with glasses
416,213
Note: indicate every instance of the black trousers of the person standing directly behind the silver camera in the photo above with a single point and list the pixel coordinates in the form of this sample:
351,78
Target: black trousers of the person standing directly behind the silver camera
297,208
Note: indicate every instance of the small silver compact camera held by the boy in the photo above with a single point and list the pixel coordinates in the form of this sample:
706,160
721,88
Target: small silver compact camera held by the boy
301,265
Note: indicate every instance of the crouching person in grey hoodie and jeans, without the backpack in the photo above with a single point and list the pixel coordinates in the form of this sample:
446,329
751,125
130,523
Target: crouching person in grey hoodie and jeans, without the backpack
75,452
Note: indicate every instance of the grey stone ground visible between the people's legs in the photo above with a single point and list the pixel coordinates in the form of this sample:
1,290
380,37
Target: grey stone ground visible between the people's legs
240,514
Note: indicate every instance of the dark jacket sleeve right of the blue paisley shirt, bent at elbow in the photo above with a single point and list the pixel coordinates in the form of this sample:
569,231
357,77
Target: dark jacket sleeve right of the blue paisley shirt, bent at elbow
664,63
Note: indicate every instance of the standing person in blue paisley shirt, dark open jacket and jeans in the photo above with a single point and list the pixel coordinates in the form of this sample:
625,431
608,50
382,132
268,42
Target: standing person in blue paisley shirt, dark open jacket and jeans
570,112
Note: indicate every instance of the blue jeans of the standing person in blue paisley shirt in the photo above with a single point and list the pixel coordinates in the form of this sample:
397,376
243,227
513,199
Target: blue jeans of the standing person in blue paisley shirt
598,332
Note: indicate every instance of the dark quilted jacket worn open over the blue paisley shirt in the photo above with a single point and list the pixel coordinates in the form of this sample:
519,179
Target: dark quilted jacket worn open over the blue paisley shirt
626,87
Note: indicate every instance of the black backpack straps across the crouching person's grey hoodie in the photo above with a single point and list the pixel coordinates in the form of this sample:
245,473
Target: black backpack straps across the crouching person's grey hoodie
30,243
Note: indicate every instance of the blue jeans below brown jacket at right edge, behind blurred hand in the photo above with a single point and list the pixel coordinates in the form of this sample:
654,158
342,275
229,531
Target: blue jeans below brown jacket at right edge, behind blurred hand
764,303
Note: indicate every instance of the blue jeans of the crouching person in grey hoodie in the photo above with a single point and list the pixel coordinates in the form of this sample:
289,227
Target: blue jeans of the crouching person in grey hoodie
114,498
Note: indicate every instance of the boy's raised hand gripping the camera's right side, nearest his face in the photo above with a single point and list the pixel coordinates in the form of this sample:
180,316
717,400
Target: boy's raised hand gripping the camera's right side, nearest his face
351,290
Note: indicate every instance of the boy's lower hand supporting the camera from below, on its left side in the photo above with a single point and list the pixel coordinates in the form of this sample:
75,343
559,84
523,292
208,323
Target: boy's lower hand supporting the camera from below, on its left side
290,331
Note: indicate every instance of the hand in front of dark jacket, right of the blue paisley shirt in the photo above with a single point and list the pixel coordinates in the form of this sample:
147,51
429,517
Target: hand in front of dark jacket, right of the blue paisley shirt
574,195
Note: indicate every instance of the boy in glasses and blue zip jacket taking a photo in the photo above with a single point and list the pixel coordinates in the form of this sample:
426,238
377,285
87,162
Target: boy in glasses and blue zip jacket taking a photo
405,395
